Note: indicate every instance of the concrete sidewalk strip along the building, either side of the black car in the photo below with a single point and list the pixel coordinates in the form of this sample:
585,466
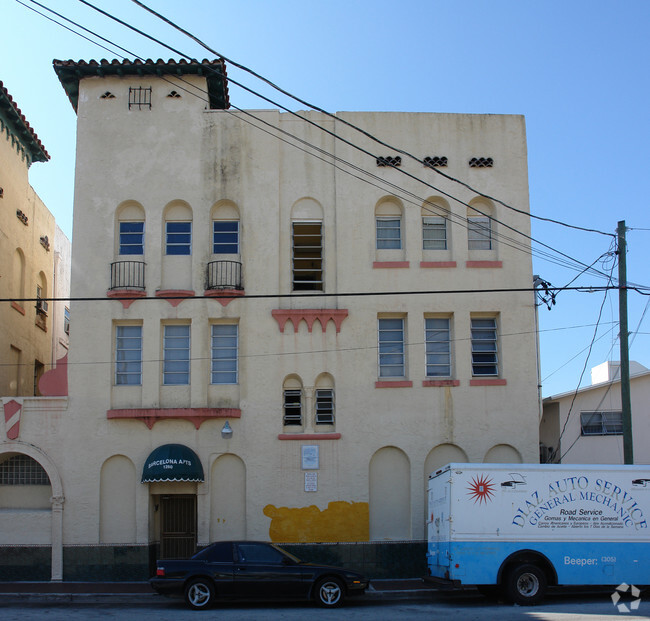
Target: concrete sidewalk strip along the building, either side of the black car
141,592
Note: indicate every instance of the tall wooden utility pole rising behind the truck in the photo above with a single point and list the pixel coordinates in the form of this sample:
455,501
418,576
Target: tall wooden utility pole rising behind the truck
628,451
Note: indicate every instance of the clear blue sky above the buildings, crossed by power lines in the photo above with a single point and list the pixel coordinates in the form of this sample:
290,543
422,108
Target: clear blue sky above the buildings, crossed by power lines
577,70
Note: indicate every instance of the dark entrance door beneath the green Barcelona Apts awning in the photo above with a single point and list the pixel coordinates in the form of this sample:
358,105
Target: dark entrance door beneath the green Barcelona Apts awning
177,526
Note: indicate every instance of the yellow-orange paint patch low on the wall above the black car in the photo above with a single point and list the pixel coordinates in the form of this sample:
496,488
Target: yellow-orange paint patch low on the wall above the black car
341,521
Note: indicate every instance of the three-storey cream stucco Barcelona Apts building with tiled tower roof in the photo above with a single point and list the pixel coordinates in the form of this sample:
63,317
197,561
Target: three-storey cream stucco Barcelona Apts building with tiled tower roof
284,333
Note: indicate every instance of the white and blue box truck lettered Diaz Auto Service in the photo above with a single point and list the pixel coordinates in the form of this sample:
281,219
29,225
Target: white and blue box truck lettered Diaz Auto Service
518,528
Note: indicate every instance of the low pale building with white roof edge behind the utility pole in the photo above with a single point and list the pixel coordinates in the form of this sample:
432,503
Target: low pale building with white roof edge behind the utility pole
586,426
